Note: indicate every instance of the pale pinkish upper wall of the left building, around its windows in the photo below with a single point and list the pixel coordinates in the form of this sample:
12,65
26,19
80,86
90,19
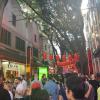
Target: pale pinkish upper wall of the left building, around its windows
26,31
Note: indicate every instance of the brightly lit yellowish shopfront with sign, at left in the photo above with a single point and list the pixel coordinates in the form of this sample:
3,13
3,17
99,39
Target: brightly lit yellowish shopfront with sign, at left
12,69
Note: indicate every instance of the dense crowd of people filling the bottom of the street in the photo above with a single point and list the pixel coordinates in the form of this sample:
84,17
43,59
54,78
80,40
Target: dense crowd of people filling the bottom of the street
71,86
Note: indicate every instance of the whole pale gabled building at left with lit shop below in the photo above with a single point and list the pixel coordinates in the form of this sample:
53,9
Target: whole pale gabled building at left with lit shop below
16,36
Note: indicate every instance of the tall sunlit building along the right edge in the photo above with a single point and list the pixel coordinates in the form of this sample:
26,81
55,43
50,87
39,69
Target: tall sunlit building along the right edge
92,32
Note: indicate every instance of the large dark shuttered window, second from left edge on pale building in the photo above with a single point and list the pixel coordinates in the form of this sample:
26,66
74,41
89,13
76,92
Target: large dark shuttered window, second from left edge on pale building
20,44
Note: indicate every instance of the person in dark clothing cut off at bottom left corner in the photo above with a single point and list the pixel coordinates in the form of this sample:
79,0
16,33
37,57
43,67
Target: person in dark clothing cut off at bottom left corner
4,94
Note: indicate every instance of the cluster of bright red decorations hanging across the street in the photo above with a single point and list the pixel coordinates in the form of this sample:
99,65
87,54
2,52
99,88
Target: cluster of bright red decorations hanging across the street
65,62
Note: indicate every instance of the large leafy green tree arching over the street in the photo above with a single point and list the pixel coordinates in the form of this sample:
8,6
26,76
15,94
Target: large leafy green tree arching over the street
61,21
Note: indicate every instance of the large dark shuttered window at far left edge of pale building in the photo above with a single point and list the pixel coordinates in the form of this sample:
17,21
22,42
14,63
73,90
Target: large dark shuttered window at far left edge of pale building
5,37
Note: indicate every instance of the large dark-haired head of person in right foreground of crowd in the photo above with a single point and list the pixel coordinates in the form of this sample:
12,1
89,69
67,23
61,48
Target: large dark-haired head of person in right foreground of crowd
76,88
